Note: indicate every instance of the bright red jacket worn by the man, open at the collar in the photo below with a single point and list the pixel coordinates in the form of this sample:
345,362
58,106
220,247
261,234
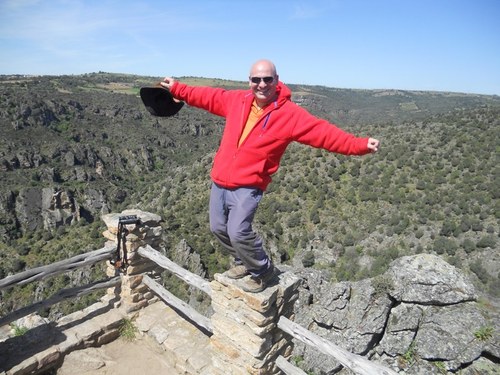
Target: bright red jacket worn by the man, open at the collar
258,157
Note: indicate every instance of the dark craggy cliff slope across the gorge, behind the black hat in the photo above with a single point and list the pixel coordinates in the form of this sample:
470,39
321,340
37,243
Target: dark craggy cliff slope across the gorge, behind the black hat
85,138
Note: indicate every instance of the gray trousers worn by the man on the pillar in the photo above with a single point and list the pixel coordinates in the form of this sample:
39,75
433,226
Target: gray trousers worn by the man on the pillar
231,216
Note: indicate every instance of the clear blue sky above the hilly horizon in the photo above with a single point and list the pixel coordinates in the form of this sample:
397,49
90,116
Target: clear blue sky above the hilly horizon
442,45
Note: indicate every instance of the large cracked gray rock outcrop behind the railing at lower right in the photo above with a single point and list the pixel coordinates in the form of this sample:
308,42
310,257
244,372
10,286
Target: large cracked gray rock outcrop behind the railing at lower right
421,316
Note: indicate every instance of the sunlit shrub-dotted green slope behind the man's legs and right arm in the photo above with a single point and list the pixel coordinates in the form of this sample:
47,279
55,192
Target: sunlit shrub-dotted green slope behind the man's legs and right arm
433,187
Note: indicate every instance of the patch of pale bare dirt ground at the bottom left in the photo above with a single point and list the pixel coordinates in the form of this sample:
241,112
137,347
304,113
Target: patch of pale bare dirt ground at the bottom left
143,355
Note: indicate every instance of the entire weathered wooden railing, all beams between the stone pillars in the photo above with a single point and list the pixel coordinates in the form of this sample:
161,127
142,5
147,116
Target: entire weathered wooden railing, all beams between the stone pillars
356,363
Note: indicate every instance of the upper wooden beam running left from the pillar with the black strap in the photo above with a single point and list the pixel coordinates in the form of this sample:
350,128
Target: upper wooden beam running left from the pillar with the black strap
57,268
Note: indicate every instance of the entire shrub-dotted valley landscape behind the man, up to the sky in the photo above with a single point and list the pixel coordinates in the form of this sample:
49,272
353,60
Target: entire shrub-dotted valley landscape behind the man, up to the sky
75,147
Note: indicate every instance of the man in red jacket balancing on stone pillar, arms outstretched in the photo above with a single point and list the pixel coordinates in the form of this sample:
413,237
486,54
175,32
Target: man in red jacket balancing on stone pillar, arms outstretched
260,124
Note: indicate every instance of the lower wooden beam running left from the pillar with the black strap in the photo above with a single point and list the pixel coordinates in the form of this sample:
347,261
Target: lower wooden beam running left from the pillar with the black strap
59,296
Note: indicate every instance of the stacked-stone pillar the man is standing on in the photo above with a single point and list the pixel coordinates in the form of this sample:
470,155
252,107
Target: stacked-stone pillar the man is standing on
246,336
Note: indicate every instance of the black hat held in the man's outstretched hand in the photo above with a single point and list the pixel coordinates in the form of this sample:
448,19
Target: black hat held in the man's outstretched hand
159,101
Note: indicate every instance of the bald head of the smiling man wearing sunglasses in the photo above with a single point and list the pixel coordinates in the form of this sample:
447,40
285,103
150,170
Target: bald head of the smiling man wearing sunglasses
263,80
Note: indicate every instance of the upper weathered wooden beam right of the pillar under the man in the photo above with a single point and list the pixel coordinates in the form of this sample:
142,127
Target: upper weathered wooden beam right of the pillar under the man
358,364
